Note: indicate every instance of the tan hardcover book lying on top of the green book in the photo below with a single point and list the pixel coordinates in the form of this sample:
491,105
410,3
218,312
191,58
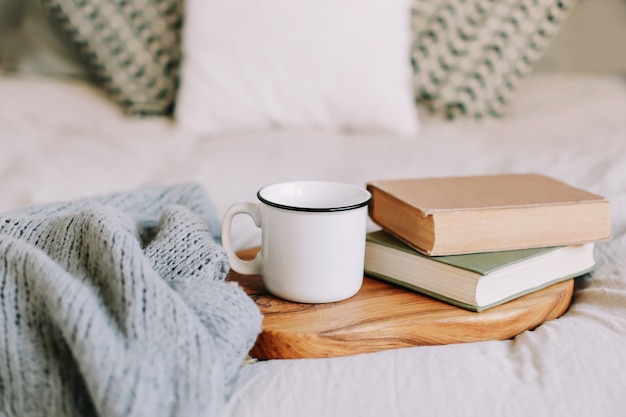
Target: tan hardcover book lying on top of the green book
457,215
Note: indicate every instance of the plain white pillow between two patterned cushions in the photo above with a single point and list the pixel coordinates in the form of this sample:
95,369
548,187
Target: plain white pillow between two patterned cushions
314,64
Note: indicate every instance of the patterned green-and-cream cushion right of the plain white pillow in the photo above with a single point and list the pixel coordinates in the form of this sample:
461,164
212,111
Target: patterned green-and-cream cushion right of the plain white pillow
470,55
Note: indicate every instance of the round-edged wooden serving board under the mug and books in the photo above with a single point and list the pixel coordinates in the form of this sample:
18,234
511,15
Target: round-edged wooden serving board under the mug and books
385,316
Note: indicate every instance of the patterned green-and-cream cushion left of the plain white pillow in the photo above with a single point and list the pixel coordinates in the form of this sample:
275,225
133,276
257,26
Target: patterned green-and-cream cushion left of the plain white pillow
131,47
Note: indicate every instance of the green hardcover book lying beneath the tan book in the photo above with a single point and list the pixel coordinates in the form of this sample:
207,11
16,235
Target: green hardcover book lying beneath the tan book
475,281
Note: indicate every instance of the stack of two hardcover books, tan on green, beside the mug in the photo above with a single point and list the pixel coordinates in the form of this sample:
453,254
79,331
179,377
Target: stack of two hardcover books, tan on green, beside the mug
480,241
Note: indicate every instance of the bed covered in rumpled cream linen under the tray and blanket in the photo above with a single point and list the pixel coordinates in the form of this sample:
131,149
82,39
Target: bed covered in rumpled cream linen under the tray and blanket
64,138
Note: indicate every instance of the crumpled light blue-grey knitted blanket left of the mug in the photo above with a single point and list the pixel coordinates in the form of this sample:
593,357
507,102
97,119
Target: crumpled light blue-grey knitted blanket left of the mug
117,306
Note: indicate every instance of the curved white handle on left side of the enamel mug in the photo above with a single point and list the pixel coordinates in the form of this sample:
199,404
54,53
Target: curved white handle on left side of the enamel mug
252,267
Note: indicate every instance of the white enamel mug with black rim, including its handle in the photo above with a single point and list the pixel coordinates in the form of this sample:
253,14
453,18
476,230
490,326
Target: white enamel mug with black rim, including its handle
312,239
